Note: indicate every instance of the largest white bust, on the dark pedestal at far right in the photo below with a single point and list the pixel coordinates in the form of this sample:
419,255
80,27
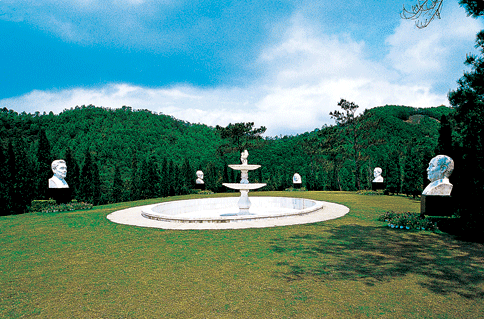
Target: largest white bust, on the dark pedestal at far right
438,172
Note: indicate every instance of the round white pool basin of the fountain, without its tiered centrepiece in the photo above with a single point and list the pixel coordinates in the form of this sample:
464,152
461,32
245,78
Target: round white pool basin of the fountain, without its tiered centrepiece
224,210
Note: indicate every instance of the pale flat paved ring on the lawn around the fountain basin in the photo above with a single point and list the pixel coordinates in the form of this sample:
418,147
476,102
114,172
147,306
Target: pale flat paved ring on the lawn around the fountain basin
133,216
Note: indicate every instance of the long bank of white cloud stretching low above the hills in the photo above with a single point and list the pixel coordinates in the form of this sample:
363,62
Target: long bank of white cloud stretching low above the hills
305,73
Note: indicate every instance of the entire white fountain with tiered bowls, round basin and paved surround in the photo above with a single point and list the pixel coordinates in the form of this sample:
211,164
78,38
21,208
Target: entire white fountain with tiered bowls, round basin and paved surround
222,213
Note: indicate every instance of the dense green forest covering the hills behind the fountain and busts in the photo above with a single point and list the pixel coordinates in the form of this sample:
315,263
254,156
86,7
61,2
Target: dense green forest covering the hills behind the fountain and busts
125,154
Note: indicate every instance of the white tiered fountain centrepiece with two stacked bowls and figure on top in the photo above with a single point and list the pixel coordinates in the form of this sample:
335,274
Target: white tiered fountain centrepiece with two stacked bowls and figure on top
244,186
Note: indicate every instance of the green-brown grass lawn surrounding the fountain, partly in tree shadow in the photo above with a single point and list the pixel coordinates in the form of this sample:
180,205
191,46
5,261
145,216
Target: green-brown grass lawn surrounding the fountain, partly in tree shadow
80,265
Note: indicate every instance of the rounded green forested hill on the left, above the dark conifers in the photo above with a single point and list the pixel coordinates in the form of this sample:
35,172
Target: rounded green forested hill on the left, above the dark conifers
113,136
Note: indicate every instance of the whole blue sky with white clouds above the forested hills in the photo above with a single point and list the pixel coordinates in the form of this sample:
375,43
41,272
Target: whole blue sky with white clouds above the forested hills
280,64
